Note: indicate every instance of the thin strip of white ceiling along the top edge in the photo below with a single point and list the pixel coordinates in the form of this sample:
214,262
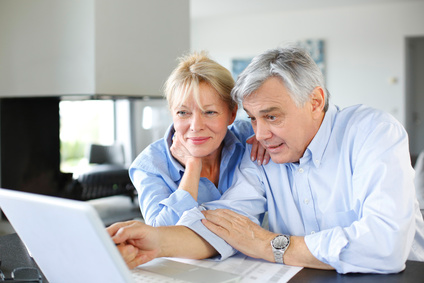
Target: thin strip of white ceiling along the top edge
213,8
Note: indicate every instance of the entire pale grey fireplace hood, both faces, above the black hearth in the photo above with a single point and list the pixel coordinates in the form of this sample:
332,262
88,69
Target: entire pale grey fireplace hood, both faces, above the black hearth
80,47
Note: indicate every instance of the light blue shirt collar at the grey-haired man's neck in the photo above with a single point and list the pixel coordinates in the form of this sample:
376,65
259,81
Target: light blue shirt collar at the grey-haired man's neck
319,143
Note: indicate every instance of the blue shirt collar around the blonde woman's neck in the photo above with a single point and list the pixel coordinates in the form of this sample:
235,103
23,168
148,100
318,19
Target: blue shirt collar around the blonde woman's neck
175,168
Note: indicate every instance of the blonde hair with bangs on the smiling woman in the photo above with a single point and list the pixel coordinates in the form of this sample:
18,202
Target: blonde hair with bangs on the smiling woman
194,69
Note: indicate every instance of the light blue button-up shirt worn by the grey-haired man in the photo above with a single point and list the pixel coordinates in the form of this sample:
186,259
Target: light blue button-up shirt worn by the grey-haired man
351,195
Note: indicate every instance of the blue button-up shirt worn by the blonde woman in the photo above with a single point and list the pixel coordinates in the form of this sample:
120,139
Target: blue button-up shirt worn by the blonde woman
157,175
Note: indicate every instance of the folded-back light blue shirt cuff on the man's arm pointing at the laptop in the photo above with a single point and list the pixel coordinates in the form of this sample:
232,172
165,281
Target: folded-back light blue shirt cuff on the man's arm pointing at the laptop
192,220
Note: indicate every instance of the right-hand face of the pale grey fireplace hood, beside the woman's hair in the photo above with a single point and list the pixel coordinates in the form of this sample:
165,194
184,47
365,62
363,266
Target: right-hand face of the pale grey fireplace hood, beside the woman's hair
137,44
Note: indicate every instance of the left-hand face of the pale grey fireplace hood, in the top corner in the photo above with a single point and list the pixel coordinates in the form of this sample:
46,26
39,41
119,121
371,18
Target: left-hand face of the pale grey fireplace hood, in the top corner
46,47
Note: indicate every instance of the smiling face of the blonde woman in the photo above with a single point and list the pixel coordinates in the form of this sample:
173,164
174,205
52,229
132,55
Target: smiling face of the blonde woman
202,128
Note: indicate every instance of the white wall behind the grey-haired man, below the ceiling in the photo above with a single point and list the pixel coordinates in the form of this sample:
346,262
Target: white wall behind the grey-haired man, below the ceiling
364,46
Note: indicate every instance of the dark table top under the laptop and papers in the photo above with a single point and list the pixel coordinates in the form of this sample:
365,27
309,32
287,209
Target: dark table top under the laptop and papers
14,254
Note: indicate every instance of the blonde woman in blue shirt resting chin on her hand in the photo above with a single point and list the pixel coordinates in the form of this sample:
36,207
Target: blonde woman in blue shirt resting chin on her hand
195,161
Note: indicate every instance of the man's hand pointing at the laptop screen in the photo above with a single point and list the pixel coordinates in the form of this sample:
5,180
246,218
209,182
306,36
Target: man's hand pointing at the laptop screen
138,243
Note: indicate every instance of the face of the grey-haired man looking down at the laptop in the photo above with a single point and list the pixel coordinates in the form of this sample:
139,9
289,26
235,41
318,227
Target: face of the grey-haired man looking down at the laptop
282,128
